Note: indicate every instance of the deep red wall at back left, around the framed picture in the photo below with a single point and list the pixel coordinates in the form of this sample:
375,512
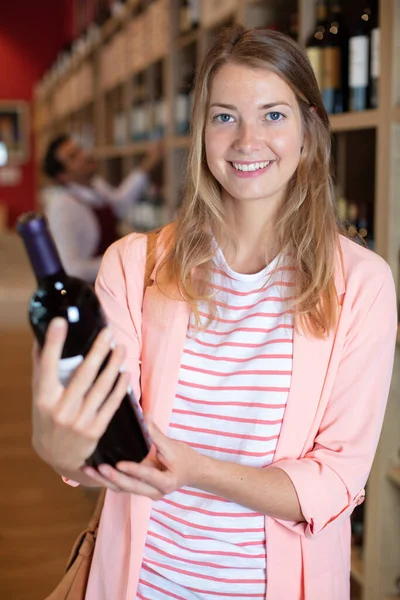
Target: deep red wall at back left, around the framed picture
31,34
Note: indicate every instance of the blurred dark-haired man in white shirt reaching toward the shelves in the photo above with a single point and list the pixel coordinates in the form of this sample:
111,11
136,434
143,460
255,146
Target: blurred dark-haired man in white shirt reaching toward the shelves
82,208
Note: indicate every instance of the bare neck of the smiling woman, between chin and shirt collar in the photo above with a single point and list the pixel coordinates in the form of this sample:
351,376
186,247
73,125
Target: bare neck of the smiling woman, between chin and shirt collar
253,241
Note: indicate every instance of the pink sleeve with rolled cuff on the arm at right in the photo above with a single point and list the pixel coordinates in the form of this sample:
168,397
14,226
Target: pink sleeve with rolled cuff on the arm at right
329,479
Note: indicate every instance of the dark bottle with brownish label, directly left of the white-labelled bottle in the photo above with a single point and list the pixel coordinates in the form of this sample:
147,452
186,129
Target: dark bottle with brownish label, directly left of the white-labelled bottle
335,61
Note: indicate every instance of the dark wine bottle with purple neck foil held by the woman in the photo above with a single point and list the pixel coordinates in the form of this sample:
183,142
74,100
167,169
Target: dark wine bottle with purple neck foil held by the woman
59,295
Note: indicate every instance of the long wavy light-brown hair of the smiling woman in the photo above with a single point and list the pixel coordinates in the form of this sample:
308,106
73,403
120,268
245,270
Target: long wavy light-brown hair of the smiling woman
307,225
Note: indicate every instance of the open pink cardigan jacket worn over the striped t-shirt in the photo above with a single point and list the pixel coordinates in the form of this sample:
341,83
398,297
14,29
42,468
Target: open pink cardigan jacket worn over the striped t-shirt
330,429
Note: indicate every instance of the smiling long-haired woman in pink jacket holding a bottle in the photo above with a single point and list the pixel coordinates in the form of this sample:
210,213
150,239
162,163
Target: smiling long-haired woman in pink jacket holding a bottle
263,354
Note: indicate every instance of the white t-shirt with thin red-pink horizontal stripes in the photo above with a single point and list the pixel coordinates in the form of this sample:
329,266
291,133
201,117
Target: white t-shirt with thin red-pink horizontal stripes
230,401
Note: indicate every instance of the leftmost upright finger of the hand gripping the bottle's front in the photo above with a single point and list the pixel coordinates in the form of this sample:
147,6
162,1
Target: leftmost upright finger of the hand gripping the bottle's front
50,355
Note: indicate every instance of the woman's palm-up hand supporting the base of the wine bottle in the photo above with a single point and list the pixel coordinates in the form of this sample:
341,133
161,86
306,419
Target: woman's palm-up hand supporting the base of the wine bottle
170,466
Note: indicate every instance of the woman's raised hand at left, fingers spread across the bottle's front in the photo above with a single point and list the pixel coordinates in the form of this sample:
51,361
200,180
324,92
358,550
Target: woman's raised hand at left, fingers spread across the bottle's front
68,422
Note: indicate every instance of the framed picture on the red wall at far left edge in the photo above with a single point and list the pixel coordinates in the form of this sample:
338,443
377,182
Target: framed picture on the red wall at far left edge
14,130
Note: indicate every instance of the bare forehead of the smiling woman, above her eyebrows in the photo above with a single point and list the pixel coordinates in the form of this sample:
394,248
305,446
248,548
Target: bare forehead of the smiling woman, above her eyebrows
248,84
